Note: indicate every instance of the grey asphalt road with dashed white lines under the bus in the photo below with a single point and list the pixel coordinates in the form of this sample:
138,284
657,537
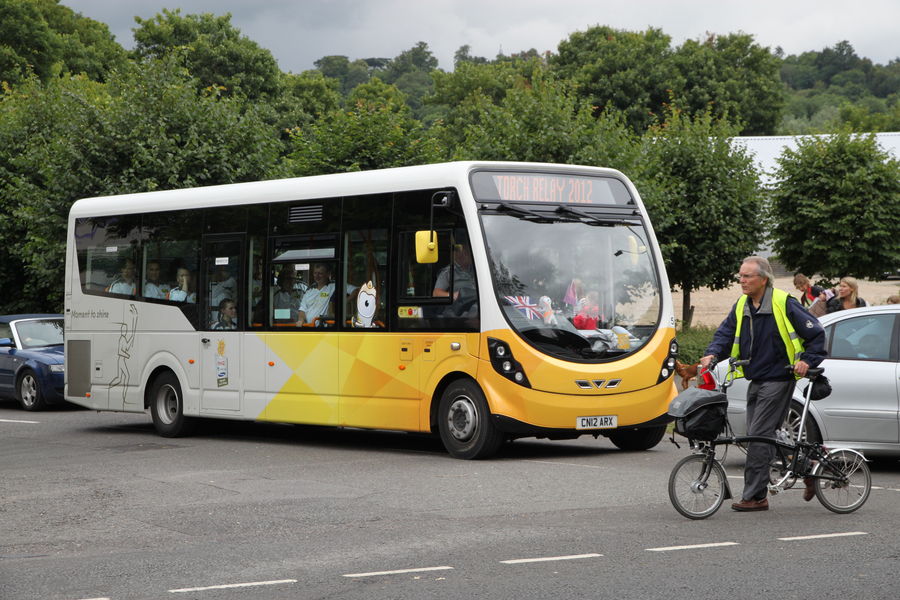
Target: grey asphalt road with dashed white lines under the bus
97,506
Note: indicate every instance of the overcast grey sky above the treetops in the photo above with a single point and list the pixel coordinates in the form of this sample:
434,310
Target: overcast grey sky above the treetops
298,32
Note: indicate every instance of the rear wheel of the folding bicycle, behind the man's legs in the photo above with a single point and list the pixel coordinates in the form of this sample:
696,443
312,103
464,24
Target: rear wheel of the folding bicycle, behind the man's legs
849,484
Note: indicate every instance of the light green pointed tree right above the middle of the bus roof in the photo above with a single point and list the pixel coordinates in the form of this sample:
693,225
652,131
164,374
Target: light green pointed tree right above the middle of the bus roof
375,131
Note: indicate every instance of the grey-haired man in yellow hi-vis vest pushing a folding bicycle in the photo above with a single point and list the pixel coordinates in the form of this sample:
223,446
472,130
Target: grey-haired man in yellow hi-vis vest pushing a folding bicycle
770,329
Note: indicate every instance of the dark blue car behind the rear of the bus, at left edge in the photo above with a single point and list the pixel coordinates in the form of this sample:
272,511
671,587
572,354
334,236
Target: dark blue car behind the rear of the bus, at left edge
31,359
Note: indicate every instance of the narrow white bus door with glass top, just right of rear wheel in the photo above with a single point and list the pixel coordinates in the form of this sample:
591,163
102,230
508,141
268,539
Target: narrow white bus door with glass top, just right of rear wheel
220,338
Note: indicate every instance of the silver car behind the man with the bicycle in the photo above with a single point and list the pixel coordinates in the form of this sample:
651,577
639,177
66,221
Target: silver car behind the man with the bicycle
863,366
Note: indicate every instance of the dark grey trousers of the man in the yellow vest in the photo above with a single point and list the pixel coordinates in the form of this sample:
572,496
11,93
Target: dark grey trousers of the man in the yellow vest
767,406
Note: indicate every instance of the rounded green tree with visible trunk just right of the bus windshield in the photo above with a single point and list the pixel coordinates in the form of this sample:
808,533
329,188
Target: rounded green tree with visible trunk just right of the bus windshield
704,200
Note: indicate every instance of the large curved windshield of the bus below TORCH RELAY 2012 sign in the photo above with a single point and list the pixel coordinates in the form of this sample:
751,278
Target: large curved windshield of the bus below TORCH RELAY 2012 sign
577,285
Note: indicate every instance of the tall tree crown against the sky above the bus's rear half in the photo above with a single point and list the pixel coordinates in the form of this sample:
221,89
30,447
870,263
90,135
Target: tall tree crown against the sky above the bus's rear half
214,51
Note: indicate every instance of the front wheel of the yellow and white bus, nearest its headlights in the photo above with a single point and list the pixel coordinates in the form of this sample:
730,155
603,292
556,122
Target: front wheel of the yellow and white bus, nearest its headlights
464,422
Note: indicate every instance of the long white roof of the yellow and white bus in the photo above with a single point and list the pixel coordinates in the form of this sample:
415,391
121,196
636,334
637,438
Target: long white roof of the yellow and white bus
313,187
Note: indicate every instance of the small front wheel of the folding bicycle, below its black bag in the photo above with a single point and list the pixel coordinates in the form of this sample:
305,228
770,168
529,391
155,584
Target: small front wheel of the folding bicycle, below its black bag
697,486
